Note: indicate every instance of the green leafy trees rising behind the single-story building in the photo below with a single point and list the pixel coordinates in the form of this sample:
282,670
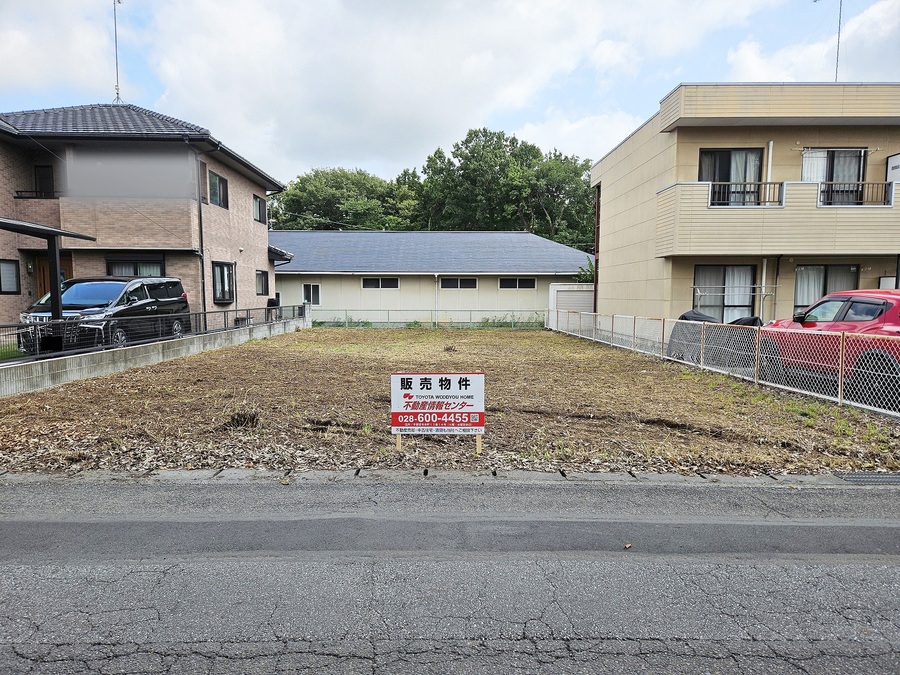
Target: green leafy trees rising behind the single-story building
490,181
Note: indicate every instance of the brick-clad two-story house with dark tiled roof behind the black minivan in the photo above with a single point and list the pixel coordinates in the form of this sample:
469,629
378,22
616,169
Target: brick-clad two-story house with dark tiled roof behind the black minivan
162,197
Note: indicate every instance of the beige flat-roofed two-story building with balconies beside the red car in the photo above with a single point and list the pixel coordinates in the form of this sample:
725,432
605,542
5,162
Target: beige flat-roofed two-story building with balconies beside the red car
750,199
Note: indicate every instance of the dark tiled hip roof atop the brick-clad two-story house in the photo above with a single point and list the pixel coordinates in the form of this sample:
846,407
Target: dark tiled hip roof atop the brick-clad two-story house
108,119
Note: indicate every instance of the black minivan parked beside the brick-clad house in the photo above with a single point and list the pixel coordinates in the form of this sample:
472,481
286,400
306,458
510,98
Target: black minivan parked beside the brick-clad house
107,311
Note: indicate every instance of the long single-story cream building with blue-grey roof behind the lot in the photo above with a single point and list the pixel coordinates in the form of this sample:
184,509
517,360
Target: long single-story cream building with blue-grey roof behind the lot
386,277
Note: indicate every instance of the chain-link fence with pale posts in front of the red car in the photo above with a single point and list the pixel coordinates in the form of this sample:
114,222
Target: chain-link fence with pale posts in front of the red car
862,370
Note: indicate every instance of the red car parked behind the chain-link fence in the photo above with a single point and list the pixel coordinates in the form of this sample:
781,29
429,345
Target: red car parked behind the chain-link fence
842,336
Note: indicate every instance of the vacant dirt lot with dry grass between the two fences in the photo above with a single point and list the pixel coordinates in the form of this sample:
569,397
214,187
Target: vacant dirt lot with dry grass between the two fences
320,399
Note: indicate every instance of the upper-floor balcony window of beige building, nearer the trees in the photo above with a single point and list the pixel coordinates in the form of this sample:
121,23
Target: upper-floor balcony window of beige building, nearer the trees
735,175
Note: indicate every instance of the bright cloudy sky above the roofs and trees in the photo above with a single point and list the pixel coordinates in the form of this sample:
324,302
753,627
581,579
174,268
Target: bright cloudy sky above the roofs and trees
379,85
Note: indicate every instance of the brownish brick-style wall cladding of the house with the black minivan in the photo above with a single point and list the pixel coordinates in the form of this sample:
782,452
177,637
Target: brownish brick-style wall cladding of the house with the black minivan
170,225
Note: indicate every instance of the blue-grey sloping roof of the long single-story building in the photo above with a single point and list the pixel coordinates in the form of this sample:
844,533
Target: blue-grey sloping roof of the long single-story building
330,252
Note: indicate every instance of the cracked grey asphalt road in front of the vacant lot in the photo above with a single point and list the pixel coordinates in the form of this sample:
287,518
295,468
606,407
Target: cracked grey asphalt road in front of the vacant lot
397,573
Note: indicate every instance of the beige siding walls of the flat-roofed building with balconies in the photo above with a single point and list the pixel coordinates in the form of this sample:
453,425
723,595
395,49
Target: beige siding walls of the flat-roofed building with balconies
656,223
